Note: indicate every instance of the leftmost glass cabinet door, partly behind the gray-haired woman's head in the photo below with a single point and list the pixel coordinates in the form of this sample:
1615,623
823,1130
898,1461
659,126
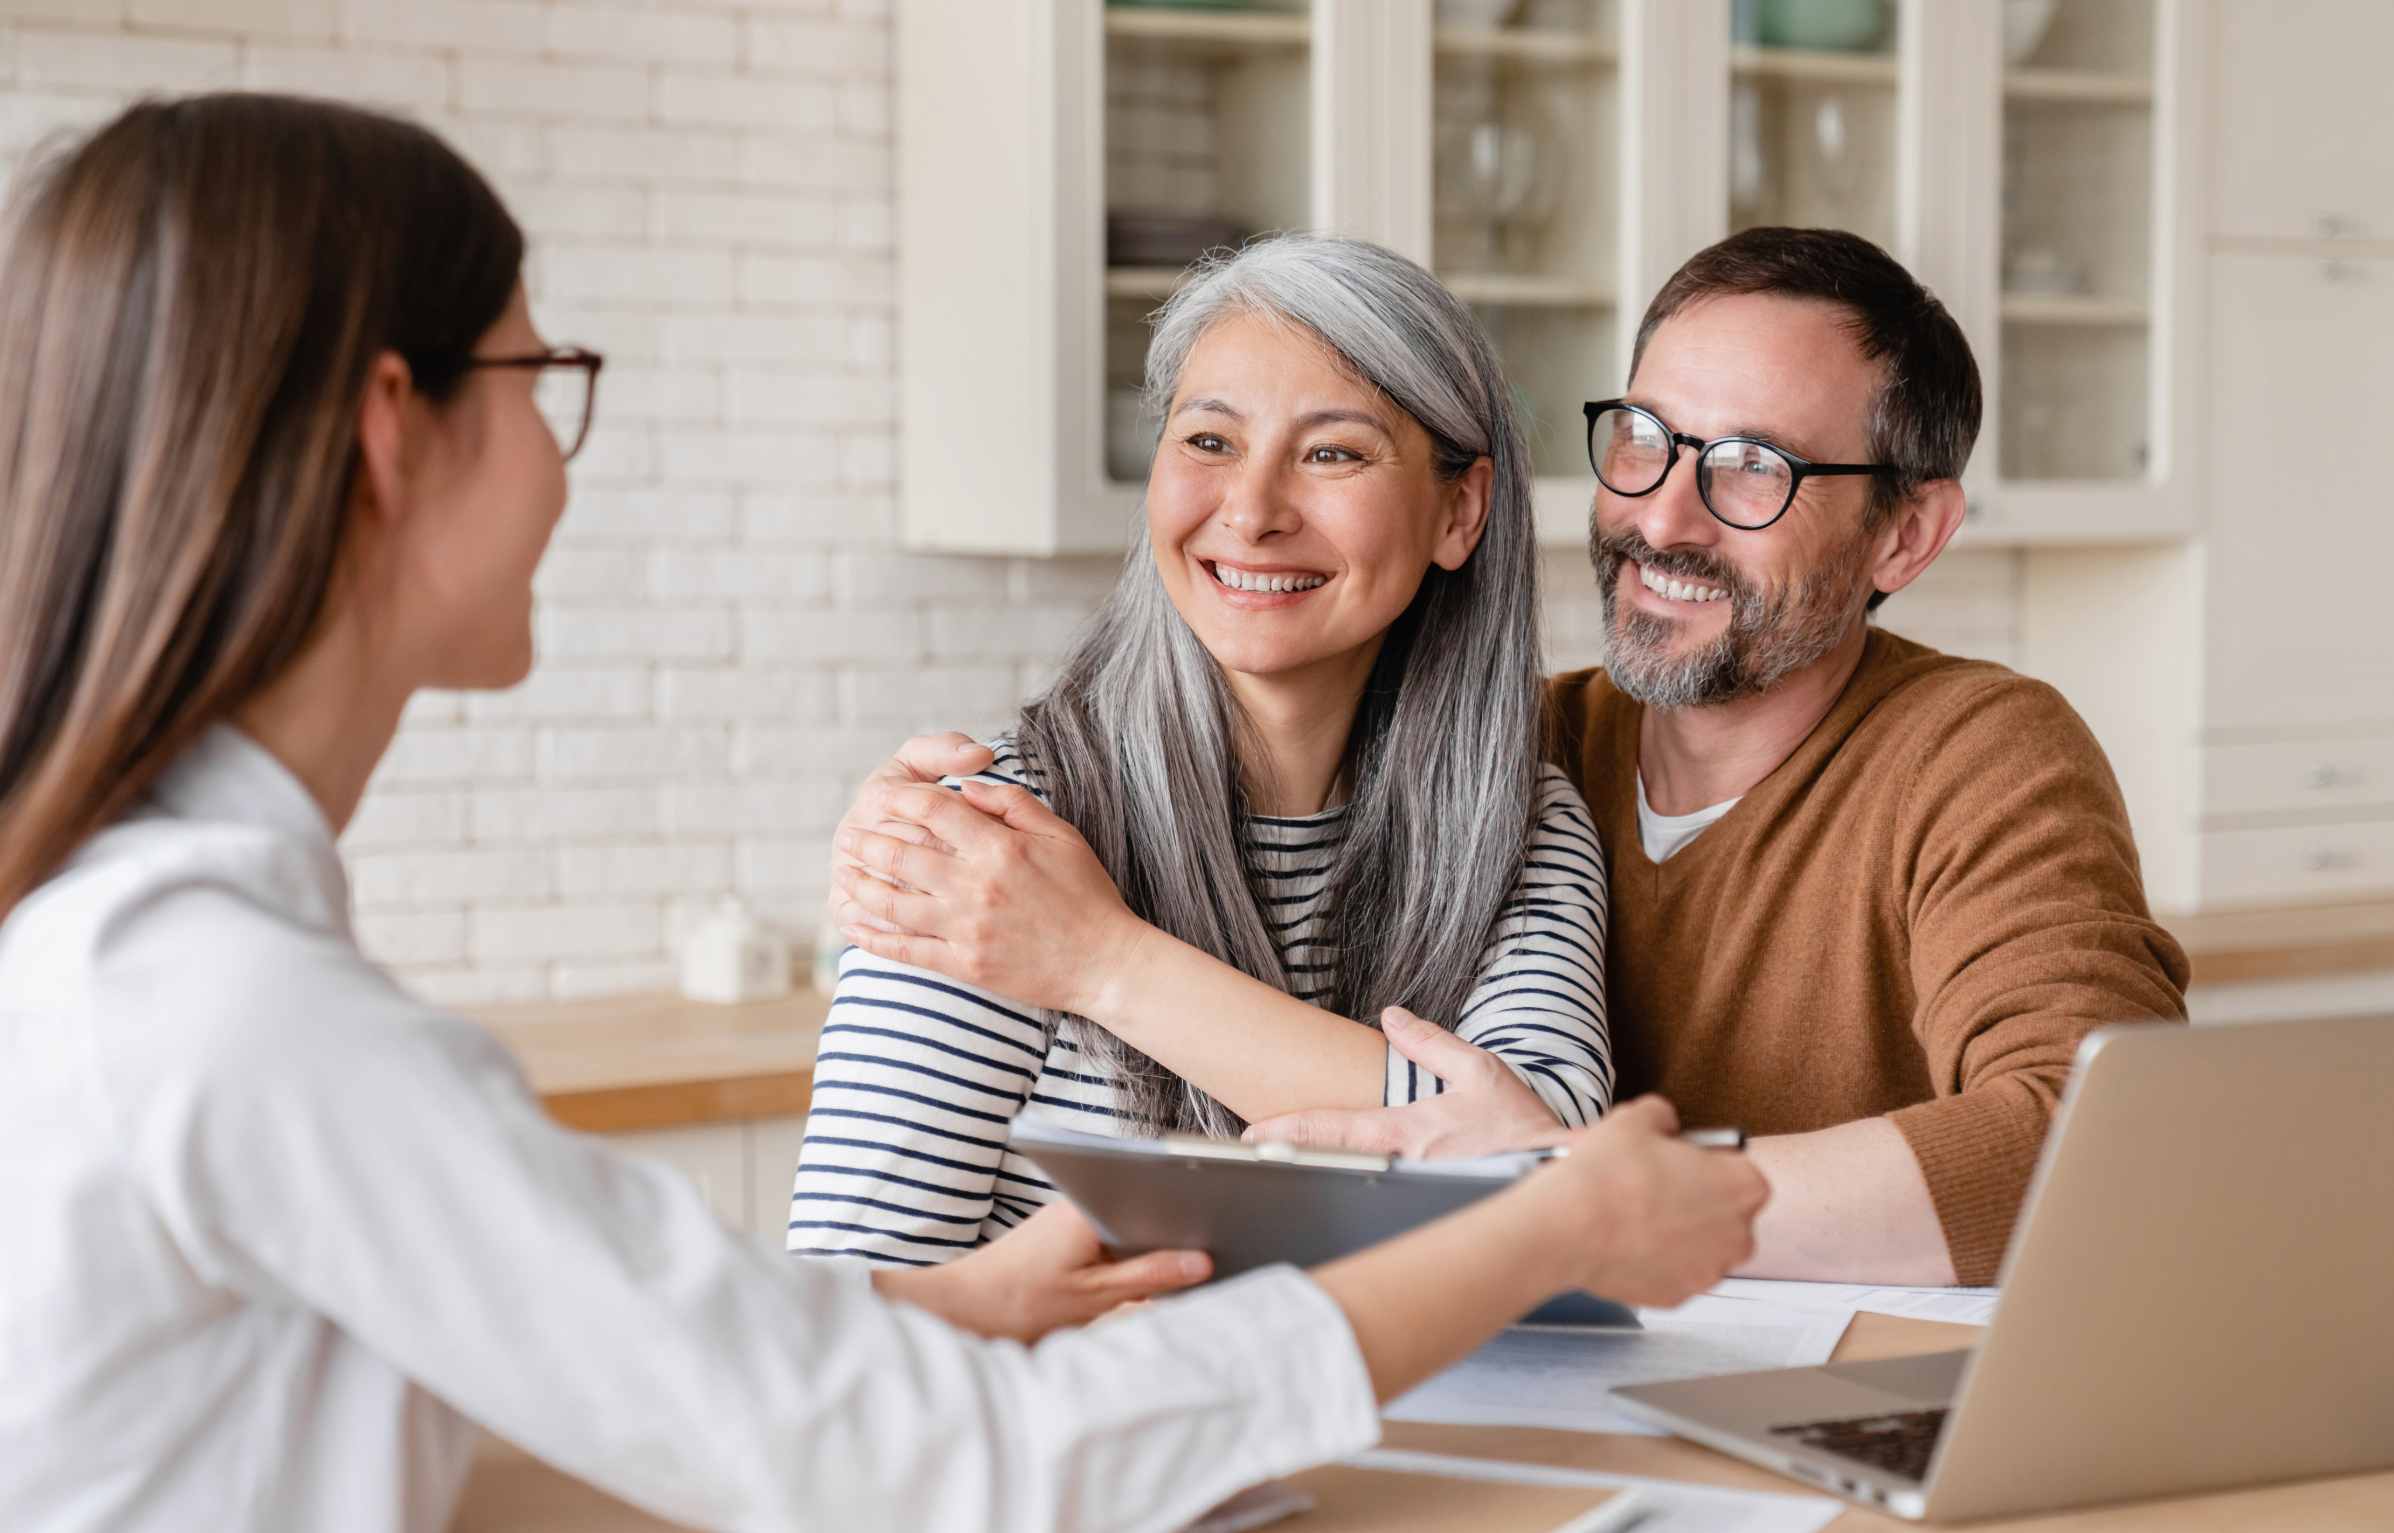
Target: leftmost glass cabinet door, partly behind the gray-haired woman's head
1208,145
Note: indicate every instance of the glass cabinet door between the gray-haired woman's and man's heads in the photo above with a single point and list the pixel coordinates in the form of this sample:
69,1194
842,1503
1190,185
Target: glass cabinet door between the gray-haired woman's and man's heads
1524,202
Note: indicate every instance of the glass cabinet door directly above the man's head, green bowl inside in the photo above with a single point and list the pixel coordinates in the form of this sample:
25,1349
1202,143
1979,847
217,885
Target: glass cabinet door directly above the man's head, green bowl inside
1813,116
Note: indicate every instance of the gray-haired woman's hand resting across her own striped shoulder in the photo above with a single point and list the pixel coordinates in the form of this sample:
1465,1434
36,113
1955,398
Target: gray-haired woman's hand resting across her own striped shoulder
999,892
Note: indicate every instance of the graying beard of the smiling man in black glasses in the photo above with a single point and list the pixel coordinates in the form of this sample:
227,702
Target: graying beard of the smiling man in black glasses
1768,638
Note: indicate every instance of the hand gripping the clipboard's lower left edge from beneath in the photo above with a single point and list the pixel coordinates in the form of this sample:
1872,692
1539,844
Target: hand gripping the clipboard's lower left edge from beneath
1040,1278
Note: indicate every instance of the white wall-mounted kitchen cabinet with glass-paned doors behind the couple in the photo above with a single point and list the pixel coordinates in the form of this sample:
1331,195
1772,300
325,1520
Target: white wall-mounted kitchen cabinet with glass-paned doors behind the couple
1555,171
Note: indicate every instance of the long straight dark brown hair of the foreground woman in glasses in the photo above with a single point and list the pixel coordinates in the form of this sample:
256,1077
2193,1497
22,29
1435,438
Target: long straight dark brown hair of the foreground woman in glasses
190,305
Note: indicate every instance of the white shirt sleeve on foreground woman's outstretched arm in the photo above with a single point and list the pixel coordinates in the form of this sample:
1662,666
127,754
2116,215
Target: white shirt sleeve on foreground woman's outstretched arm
320,1139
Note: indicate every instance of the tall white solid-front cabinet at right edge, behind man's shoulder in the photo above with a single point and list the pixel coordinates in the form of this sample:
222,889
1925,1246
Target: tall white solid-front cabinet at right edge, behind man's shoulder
2244,686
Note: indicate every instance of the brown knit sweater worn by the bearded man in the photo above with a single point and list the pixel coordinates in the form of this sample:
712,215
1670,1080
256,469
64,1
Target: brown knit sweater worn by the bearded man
1919,914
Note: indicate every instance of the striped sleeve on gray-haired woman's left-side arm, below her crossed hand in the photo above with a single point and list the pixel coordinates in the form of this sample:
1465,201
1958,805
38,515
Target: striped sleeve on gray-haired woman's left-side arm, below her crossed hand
916,1091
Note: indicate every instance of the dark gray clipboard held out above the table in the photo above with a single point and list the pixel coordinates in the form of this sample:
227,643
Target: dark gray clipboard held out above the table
1256,1206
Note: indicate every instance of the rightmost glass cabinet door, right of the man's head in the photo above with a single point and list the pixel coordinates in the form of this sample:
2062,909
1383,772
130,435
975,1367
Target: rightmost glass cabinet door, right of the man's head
2077,241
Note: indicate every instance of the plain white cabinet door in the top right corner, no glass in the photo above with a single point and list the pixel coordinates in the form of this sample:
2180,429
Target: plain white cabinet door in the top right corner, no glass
2302,131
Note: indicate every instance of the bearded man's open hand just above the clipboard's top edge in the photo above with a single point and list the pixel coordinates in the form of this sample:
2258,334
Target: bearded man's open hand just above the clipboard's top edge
1483,1110
